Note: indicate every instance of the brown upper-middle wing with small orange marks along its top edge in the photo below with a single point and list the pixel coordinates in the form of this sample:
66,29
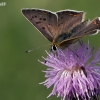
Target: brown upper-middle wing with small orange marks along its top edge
68,19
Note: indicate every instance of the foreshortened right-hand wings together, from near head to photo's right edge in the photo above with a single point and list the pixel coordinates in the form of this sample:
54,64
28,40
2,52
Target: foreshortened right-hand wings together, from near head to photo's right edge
84,29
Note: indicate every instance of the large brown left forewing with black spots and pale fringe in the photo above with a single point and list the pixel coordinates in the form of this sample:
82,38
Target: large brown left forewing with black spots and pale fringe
44,21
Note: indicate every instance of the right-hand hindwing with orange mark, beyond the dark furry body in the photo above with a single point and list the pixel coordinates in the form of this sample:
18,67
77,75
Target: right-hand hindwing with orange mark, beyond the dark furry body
86,28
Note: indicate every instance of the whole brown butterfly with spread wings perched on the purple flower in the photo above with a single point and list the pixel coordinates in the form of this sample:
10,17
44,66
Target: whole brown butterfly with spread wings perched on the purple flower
62,28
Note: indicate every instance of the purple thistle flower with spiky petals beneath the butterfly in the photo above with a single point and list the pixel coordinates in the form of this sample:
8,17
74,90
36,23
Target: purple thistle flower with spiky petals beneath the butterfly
75,74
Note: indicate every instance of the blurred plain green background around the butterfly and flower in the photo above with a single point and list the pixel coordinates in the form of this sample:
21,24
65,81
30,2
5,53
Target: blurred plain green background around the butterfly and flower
20,72
